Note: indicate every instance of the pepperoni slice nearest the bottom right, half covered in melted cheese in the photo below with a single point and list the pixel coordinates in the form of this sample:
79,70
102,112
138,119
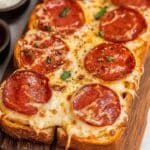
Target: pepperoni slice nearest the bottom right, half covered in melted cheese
96,105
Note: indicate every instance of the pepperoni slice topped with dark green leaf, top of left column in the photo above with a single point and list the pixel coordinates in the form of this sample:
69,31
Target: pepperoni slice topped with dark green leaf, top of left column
64,15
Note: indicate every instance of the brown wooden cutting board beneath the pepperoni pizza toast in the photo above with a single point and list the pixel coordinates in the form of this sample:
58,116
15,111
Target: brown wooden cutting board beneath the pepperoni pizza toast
133,135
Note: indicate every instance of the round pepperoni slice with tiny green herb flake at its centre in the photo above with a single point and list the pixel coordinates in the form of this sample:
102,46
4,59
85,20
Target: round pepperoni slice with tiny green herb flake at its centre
109,61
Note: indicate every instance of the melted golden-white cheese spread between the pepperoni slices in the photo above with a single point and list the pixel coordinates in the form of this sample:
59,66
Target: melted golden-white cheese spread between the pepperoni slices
58,111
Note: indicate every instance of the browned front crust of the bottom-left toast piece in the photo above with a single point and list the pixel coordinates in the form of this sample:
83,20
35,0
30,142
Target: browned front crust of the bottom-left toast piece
24,132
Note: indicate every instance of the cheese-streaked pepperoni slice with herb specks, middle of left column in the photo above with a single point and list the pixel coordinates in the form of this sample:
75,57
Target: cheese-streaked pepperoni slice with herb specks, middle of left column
42,52
